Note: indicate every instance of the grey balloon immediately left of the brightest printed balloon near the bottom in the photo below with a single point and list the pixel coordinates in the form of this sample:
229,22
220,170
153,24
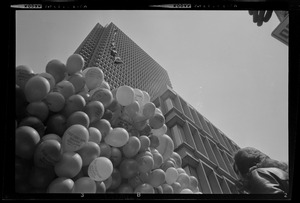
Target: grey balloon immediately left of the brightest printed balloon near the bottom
69,165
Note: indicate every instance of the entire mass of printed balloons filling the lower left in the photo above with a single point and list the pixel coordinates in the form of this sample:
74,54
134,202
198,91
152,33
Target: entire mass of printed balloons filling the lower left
76,135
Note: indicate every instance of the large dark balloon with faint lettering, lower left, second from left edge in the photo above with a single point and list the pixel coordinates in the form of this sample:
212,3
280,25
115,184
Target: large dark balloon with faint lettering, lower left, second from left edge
47,153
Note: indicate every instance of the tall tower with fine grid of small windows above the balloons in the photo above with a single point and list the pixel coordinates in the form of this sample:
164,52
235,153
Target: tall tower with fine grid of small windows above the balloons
138,69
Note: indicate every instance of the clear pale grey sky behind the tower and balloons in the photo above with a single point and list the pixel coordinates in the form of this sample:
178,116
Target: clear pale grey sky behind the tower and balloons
229,69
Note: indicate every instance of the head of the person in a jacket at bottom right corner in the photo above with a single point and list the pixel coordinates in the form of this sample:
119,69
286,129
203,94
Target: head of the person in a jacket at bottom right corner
248,157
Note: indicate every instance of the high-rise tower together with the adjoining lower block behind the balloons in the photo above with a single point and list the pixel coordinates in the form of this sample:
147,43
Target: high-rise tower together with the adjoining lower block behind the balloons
207,153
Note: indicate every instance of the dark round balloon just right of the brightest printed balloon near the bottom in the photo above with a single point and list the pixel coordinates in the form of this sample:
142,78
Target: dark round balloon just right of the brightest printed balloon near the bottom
128,168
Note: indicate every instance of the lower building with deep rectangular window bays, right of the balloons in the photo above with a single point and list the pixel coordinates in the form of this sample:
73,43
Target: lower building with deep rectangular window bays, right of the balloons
207,153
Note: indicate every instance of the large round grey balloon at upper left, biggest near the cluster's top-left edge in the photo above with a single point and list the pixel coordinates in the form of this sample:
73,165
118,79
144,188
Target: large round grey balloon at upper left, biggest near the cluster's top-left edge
36,88
